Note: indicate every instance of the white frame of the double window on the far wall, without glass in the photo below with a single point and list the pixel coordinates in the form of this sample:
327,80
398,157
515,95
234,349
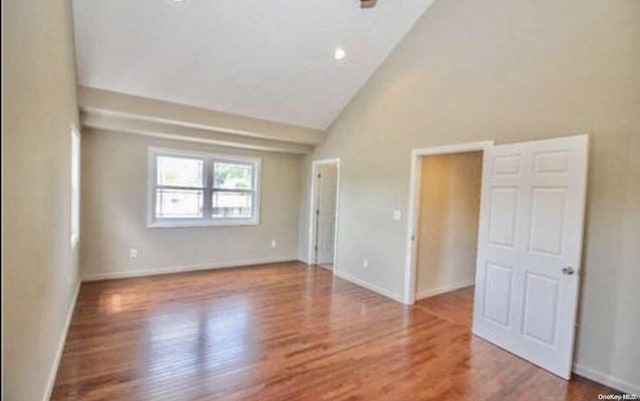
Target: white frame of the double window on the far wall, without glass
206,220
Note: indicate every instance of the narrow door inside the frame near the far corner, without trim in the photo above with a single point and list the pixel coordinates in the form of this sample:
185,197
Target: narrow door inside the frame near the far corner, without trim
326,212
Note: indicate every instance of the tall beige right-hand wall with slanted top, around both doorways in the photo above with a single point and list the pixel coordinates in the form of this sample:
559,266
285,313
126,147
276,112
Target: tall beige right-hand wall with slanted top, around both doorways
473,70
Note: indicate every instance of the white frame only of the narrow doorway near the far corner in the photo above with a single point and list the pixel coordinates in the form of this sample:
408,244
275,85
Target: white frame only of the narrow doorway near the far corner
311,255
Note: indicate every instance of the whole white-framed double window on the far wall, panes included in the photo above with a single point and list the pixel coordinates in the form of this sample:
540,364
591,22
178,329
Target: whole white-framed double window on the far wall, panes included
199,189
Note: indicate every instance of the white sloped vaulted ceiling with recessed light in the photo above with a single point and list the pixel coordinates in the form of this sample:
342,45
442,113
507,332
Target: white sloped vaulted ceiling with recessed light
270,59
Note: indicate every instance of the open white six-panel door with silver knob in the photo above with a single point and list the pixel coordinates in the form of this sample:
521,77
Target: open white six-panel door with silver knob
529,249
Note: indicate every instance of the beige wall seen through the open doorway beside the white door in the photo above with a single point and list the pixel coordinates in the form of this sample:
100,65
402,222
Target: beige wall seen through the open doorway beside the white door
448,222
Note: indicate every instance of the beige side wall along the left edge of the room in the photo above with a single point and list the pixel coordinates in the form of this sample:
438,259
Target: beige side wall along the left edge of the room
39,269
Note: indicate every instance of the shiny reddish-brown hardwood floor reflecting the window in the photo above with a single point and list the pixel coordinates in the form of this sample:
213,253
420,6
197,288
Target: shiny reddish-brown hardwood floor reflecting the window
285,332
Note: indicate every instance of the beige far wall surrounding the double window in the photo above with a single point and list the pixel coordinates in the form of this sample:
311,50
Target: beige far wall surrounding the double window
114,213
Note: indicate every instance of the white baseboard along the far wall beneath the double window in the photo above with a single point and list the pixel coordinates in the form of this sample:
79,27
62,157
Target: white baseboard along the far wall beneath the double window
186,268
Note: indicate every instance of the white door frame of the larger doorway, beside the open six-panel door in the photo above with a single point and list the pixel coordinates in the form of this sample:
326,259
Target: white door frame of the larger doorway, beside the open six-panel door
414,205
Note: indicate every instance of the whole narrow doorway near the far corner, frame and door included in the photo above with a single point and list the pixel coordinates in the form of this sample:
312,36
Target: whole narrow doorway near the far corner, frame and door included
325,180
